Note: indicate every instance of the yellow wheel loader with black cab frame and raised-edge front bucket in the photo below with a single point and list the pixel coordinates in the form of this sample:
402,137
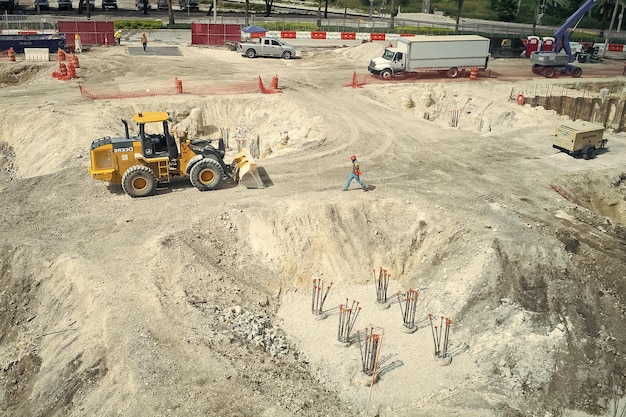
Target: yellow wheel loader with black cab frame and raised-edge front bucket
139,163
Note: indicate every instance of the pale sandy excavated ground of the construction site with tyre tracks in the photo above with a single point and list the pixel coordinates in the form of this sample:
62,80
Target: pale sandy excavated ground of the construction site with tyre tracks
191,303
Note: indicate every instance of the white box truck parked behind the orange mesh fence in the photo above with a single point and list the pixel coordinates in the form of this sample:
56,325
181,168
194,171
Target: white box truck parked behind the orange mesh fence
451,53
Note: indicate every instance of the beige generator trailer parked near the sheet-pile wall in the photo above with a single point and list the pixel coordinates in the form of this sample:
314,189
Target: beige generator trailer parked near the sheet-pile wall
579,138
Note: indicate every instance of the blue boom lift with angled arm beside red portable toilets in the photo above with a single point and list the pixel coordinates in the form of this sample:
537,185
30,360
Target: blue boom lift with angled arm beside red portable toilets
548,63
